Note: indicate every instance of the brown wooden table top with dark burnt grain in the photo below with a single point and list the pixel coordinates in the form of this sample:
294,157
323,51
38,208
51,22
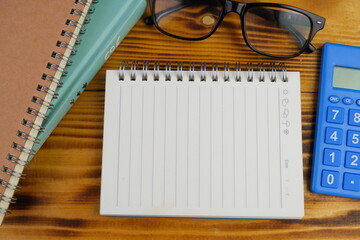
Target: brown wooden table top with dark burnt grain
61,193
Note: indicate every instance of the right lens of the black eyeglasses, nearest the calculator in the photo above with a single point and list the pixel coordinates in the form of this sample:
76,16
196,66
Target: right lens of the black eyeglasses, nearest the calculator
276,31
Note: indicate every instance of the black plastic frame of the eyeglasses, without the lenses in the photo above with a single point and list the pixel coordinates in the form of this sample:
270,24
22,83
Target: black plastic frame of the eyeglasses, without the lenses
317,23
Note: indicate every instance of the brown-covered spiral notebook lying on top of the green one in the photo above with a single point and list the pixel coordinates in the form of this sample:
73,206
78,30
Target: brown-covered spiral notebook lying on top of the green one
37,39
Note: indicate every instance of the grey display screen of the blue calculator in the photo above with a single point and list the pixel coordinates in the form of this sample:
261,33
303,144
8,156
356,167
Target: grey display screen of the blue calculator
348,78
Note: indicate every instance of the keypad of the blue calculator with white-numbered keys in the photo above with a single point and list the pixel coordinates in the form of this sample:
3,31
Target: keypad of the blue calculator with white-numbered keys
341,147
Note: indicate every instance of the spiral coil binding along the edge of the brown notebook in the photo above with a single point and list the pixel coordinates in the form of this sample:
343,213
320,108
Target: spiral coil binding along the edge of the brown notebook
27,138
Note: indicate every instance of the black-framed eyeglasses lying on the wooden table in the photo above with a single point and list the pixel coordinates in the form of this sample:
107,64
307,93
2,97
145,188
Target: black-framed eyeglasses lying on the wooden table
273,30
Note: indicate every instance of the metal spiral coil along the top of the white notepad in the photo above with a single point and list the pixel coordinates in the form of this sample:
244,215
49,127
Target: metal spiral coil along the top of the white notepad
217,72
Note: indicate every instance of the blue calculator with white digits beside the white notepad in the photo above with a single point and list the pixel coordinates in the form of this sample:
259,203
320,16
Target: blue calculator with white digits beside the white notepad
336,158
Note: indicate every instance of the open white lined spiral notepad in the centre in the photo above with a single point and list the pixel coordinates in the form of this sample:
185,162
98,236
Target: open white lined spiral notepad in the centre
202,142
